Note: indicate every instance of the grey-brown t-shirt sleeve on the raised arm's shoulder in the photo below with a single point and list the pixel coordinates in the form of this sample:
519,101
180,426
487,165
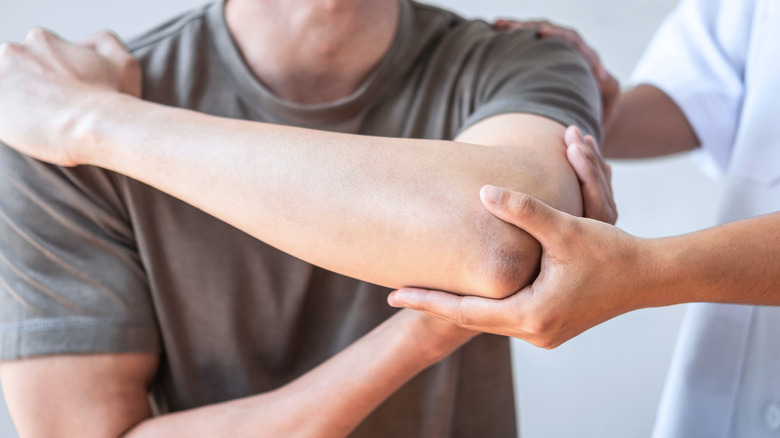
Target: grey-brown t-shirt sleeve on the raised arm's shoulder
516,72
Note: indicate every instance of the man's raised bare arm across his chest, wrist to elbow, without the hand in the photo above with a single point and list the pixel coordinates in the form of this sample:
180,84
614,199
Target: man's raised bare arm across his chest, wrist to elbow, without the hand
396,212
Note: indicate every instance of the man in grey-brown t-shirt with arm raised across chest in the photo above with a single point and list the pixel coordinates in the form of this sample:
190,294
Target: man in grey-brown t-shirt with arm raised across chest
113,286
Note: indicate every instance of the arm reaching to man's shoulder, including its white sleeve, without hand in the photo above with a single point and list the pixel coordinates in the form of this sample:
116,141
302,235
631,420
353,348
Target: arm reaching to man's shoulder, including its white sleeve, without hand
695,66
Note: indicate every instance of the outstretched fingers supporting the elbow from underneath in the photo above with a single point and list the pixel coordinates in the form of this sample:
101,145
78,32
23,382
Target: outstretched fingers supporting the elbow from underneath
474,313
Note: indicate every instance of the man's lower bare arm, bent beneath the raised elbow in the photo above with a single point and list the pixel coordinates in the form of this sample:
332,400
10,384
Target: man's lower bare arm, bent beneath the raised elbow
105,395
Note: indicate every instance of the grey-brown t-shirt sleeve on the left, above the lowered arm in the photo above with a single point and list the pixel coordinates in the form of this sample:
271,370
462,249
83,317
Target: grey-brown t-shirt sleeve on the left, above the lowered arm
71,280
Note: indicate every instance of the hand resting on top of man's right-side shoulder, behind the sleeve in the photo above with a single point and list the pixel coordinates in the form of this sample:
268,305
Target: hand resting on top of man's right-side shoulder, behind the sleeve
610,87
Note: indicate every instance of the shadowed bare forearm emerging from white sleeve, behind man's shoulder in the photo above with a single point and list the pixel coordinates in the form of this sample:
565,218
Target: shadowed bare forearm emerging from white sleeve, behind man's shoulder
647,123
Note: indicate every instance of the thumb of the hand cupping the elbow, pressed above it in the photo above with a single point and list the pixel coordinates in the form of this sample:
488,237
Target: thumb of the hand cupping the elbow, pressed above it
524,211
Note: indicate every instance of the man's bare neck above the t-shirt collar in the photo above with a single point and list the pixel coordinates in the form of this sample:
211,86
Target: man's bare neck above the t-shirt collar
312,51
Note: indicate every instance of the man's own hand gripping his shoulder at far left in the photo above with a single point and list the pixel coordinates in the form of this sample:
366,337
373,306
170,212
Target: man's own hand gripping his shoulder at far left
48,86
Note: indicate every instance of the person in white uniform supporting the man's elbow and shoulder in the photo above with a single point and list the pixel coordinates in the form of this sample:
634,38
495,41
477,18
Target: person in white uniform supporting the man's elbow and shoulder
707,82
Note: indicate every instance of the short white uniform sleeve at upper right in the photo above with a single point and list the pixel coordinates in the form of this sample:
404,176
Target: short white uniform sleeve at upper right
697,58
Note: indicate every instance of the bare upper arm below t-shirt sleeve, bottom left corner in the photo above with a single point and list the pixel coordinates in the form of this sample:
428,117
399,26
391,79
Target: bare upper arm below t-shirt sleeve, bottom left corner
101,395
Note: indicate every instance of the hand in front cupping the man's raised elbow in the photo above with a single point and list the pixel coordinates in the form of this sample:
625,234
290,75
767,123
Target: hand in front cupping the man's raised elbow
588,272
